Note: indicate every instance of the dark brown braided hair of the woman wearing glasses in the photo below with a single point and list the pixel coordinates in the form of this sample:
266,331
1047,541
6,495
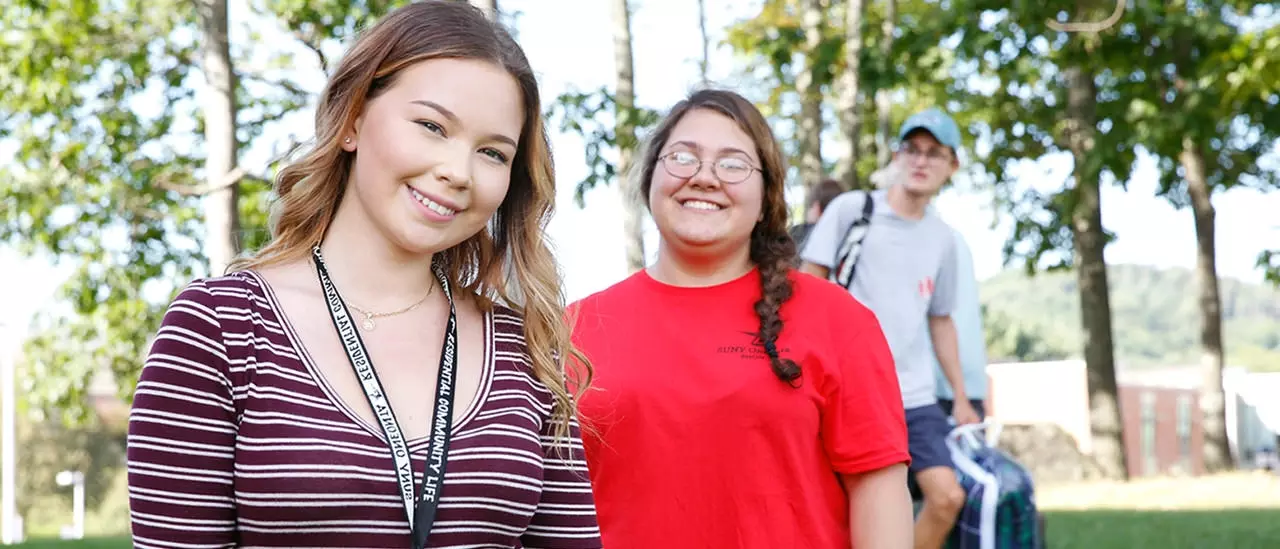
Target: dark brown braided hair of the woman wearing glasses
772,249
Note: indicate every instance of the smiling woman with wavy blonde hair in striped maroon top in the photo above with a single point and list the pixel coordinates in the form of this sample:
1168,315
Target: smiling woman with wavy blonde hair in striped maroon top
368,379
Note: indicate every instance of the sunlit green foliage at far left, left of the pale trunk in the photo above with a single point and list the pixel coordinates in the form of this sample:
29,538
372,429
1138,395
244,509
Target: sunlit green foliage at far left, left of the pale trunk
97,100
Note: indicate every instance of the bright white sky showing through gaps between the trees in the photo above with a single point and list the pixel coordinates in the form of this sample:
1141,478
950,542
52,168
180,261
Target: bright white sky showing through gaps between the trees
666,47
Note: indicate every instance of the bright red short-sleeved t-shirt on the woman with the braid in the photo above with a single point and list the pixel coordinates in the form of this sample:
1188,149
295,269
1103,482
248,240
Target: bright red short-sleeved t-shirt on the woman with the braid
700,445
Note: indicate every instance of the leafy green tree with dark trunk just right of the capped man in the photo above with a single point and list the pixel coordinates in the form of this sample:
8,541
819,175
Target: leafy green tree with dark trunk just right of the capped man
1030,91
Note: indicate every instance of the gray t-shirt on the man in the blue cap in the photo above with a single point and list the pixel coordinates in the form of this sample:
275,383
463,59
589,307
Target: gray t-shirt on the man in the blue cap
904,274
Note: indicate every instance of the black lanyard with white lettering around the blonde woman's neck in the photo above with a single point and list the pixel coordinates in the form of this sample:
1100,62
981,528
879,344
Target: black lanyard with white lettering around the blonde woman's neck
420,513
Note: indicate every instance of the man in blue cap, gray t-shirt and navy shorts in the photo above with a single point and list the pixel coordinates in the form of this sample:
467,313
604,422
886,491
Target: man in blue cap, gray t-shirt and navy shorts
906,273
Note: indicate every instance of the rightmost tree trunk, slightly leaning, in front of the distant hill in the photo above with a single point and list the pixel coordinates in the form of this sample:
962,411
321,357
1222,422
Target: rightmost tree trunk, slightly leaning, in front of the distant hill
1213,401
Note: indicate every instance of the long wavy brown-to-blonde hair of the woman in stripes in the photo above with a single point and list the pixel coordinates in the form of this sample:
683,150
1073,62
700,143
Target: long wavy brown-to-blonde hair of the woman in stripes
510,259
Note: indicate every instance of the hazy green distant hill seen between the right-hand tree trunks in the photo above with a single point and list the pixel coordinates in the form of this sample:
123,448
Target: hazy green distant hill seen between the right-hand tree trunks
1155,318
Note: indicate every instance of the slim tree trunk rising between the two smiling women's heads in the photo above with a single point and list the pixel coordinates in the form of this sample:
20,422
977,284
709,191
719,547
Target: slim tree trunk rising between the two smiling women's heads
625,132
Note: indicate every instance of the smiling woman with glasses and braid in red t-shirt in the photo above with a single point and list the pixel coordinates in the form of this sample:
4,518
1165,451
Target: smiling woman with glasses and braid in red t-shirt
738,404
